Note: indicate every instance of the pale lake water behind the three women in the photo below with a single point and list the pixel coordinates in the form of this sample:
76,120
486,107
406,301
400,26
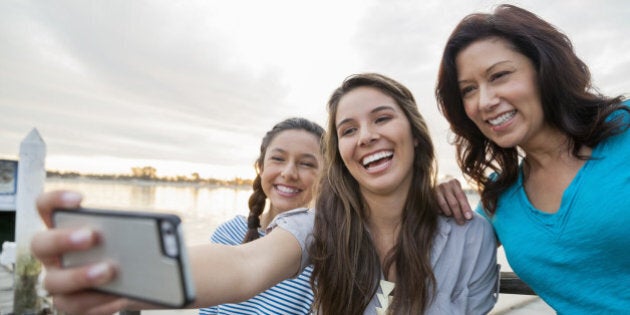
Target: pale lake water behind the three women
203,208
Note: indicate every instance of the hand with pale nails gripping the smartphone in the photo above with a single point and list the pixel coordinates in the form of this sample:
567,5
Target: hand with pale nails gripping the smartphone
70,287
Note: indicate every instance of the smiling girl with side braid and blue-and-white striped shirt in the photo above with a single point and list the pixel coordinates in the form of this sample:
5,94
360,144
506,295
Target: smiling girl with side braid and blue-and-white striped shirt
286,170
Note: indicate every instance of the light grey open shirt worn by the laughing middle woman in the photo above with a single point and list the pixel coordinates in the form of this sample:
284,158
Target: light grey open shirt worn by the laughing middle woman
463,259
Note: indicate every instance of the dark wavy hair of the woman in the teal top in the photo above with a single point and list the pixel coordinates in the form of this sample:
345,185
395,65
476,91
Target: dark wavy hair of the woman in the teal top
570,103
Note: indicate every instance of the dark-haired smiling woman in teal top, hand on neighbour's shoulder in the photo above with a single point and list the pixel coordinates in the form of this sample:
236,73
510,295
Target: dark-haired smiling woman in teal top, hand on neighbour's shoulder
549,154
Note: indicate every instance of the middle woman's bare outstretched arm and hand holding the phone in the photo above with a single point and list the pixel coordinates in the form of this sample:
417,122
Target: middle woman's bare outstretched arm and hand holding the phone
222,274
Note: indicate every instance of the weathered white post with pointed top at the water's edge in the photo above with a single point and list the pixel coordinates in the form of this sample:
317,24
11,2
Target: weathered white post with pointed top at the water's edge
31,177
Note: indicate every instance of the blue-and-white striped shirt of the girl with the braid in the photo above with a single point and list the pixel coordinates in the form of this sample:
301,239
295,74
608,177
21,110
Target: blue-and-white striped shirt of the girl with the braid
292,296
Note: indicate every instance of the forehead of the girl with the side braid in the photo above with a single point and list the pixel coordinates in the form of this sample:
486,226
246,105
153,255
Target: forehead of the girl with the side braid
295,141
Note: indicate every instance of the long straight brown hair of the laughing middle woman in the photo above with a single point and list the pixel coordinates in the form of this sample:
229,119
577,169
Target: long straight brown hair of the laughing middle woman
346,265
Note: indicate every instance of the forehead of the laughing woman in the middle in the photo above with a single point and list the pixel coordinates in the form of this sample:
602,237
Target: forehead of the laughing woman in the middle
362,100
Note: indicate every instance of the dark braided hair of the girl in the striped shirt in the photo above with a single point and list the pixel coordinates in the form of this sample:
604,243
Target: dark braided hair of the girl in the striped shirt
258,198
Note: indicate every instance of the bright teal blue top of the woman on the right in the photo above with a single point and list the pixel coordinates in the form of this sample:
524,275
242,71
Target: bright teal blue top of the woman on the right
578,259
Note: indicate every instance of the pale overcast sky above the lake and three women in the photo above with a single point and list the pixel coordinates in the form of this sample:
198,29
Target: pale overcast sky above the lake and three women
192,86
